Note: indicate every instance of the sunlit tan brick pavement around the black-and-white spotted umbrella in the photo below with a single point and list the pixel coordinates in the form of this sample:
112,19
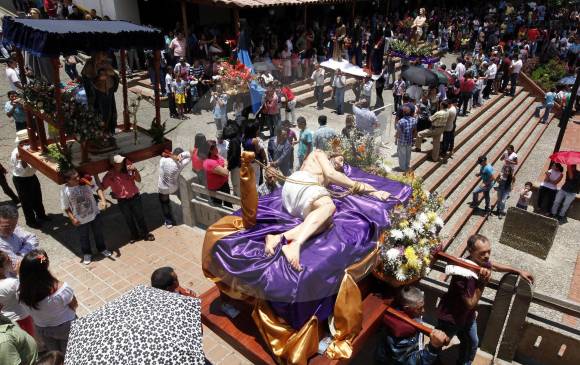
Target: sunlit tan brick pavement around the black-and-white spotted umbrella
105,279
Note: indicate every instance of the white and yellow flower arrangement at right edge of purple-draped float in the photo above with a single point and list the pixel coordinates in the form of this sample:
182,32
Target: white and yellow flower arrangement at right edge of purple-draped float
408,246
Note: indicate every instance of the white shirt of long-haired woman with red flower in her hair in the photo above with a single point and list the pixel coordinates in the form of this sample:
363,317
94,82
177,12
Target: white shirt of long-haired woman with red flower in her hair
54,310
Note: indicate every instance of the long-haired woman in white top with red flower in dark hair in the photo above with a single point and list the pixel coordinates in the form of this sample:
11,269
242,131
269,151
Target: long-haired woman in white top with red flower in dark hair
52,303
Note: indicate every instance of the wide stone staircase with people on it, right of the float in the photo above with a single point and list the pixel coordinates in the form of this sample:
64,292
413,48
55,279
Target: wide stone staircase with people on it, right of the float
502,121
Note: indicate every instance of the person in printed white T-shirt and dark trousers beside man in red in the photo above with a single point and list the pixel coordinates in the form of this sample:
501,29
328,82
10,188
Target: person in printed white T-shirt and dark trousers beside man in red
79,204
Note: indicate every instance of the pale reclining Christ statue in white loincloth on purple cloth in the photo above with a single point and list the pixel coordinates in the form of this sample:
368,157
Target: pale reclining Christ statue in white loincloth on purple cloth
305,196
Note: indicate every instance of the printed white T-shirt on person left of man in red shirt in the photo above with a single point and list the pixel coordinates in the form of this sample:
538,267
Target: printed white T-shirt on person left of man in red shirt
80,200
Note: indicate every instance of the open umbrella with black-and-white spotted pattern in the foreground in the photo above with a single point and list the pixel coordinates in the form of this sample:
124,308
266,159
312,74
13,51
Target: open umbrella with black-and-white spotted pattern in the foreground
143,326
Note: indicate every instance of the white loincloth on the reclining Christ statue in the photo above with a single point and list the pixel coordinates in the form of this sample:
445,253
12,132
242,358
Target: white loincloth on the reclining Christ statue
298,198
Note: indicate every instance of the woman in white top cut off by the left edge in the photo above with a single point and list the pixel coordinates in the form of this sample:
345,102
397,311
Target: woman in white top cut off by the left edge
9,304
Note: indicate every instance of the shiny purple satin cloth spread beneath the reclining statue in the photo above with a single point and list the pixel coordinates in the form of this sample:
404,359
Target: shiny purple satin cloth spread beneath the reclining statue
296,296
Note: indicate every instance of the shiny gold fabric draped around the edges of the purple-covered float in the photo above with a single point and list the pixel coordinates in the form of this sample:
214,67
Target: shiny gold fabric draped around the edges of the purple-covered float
290,346
